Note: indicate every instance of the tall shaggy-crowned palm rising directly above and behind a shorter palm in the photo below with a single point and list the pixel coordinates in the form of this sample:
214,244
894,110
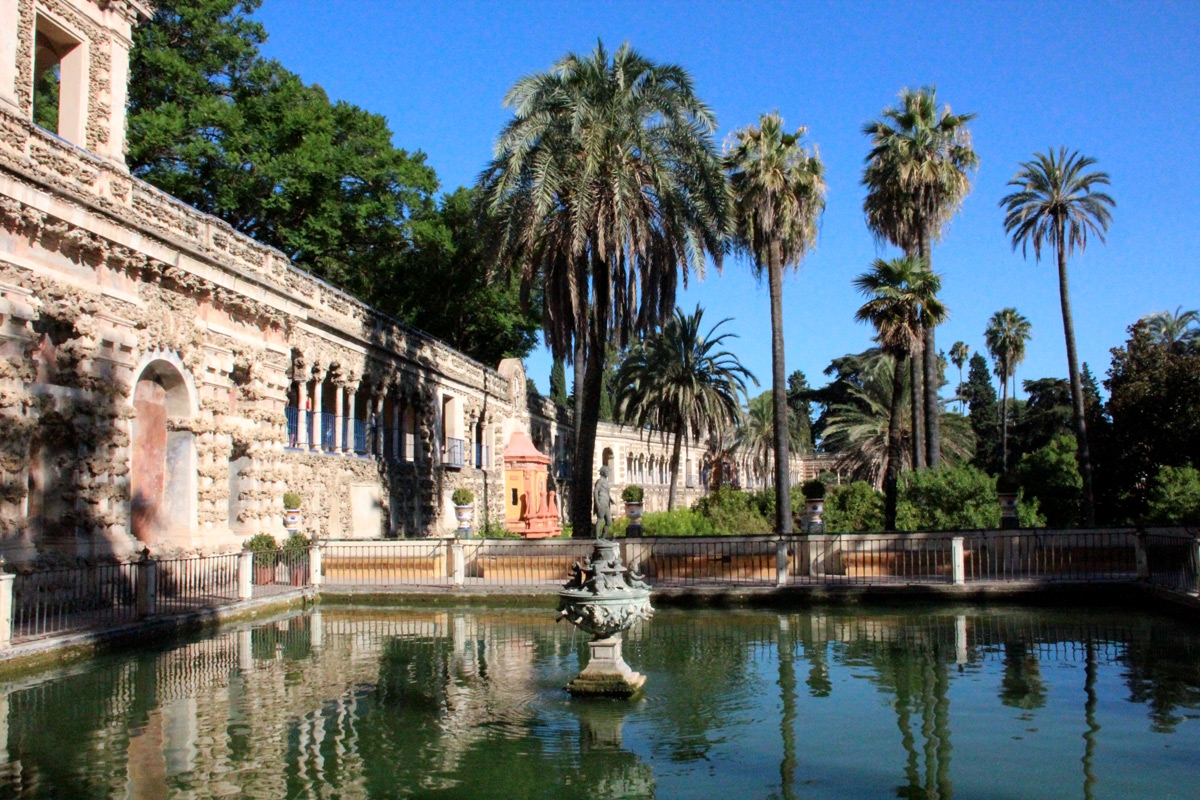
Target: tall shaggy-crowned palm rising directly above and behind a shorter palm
916,179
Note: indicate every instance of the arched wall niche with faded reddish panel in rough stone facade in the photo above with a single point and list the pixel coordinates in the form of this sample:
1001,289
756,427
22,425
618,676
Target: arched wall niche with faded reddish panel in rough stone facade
164,476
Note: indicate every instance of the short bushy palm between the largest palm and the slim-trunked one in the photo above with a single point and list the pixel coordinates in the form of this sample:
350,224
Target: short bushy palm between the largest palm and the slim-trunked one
677,382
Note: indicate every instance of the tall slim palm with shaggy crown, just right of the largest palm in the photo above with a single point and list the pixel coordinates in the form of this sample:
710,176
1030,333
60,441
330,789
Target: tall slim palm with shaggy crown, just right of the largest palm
779,195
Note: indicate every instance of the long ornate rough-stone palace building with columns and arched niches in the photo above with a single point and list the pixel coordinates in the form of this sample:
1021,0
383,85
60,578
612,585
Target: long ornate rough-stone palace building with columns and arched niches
165,380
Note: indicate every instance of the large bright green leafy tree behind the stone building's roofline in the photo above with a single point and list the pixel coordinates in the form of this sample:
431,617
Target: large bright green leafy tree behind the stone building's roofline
238,136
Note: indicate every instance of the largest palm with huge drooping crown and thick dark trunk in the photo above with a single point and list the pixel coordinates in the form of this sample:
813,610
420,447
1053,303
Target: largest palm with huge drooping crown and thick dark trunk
605,190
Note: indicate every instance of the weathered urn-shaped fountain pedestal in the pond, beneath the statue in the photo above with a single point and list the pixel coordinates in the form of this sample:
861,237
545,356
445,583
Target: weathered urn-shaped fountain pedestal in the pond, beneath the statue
604,599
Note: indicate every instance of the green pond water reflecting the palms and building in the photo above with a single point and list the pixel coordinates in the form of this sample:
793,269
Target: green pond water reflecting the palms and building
998,703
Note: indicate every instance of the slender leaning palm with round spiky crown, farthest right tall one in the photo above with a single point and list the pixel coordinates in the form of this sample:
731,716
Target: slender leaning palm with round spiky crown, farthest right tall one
1057,202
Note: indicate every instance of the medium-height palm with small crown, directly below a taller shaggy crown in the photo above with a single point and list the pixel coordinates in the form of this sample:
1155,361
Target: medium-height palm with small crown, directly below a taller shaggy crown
903,303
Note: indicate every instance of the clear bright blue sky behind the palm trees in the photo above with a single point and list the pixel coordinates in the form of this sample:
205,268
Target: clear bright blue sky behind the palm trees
1119,82
